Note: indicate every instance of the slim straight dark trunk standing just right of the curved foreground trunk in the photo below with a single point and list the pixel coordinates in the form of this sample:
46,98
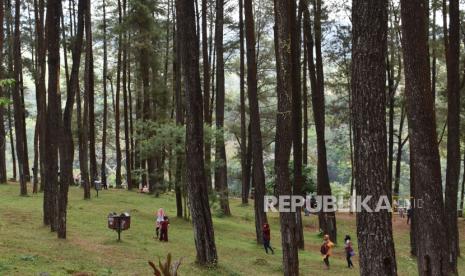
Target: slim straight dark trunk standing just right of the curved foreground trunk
221,169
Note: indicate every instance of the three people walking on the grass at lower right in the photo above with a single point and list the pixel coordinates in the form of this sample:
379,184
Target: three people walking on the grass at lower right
326,249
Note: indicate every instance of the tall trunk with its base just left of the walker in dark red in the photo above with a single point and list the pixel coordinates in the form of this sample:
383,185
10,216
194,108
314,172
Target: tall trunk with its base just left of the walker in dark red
258,170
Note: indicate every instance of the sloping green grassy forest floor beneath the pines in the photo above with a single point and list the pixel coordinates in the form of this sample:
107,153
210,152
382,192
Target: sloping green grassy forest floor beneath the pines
28,248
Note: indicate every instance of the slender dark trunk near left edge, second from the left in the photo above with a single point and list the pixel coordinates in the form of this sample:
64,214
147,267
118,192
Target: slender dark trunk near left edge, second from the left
18,103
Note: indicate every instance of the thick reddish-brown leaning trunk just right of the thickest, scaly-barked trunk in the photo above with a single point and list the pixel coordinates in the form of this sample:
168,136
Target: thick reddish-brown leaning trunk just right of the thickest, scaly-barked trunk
430,238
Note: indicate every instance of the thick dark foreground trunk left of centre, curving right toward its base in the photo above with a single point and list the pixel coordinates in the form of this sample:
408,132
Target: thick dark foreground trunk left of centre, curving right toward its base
196,180
